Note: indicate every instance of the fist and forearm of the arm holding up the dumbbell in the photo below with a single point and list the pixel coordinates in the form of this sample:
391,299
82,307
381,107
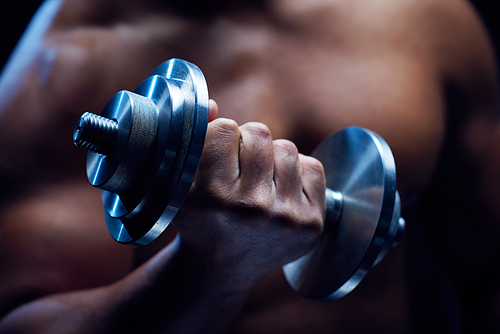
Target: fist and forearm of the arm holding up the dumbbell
262,206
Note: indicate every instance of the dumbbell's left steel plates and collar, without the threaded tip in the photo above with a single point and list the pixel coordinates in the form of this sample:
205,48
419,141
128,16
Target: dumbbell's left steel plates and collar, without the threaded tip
147,174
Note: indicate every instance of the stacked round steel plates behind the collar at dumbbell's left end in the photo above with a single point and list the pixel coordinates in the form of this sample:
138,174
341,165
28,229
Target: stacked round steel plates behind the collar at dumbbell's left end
188,112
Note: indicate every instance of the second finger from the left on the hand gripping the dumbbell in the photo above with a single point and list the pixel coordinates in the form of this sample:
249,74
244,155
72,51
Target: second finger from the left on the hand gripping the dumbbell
256,155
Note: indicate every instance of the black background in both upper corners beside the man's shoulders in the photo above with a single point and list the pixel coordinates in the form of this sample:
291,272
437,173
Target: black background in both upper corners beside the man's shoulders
15,16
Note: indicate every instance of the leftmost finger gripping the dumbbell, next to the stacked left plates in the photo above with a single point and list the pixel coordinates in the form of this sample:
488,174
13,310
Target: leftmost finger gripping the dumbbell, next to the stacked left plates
219,160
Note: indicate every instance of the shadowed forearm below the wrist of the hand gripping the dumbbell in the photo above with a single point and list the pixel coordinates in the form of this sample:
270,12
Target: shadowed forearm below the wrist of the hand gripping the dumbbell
167,294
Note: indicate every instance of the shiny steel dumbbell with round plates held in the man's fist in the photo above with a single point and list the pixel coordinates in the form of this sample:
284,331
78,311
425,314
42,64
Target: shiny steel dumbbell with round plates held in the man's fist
144,149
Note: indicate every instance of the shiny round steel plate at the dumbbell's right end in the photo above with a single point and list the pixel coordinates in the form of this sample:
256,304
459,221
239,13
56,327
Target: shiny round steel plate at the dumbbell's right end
358,164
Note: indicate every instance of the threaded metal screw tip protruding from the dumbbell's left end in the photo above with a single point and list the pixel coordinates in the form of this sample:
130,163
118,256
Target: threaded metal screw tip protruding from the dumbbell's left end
95,133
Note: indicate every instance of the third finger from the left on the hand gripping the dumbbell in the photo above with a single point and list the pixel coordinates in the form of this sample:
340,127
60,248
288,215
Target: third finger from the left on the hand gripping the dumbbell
287,169
